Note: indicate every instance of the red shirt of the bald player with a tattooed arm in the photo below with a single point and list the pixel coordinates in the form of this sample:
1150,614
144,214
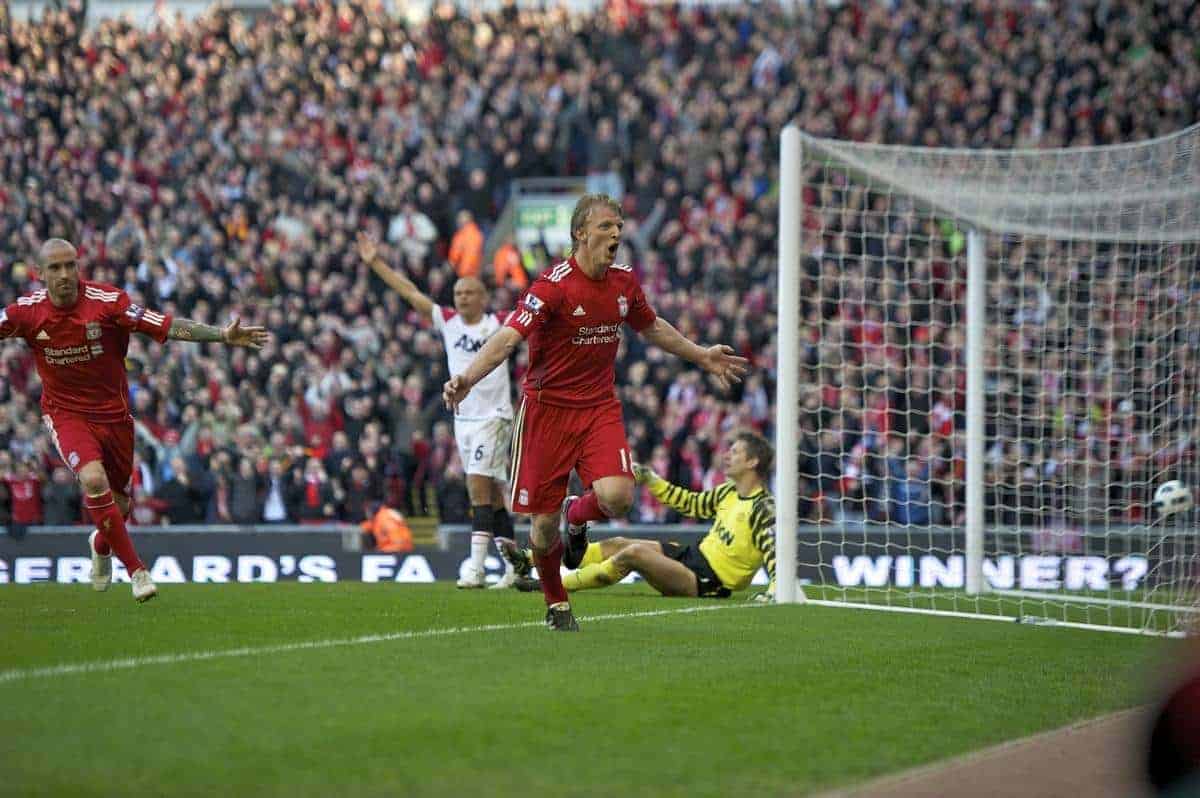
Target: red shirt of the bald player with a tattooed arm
80,351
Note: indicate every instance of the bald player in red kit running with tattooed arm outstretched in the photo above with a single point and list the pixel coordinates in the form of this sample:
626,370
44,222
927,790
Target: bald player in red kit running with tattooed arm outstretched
80,333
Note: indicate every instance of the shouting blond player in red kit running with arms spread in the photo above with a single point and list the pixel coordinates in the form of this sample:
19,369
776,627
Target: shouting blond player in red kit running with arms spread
571,416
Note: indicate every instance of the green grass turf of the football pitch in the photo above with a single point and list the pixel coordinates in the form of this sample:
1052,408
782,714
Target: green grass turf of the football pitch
754,701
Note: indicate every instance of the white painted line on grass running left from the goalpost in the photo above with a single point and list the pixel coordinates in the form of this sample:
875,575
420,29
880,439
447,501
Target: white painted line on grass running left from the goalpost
104,667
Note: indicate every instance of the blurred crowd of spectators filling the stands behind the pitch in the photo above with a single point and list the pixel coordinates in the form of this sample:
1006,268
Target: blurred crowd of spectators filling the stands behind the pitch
223,166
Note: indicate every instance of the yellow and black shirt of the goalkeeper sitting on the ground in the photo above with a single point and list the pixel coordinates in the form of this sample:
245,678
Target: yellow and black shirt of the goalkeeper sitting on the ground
743,535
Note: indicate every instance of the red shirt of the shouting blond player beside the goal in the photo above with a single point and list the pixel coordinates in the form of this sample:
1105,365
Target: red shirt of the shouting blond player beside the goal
573,323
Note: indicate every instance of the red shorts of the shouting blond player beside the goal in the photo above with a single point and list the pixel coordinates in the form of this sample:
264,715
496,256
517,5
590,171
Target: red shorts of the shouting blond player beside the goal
549,441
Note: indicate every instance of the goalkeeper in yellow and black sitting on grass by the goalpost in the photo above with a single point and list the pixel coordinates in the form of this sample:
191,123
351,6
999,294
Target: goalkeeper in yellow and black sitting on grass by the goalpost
741,542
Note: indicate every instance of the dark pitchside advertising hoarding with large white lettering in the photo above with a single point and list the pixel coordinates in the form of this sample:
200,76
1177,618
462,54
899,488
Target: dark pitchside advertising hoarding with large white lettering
311,557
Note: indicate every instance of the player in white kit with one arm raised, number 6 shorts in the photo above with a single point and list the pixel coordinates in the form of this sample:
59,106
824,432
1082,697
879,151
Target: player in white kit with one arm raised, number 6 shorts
483,425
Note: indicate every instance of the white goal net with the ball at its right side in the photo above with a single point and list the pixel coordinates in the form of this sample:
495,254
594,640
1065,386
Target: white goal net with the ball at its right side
988,363
